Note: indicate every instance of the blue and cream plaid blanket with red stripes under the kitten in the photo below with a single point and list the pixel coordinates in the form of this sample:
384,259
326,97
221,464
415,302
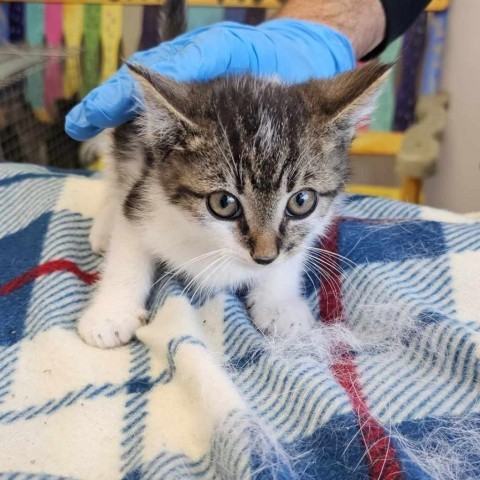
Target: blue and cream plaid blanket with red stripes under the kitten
386,387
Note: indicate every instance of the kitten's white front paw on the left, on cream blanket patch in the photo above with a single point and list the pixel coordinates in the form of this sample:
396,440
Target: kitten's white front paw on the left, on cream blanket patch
107,326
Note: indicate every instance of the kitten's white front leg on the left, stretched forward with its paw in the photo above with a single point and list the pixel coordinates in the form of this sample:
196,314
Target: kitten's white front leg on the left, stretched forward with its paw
118,306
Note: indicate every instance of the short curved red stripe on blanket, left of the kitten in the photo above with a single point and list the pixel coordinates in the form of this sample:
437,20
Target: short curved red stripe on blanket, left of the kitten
45,269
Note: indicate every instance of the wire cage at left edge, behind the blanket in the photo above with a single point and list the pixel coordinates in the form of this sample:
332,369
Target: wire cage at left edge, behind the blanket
31,116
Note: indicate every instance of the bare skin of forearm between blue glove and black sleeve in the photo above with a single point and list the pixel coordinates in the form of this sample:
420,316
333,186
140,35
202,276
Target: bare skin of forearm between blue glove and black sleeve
361,21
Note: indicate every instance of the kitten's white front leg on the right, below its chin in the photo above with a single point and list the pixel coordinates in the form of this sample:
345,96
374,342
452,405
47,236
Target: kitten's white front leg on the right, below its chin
276,304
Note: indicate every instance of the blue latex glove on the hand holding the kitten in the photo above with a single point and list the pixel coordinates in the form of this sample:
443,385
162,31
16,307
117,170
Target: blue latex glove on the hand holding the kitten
292,50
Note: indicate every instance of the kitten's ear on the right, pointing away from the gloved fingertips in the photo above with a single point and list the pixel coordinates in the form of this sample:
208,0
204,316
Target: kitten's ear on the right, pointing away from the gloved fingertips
348,97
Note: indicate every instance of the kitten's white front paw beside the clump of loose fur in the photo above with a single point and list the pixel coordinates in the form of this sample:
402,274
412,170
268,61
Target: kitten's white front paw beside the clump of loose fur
288,317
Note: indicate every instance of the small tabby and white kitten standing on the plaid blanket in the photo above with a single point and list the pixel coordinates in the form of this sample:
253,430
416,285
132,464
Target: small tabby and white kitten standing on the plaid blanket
227,182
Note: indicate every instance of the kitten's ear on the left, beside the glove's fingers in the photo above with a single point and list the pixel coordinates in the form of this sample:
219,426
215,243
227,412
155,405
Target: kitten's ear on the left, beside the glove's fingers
164,102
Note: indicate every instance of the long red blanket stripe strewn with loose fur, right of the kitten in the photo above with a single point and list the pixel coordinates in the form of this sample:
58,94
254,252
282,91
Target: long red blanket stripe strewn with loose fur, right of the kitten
380,452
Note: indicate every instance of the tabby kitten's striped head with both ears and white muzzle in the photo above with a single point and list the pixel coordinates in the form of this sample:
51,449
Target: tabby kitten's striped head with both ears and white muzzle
255,163
